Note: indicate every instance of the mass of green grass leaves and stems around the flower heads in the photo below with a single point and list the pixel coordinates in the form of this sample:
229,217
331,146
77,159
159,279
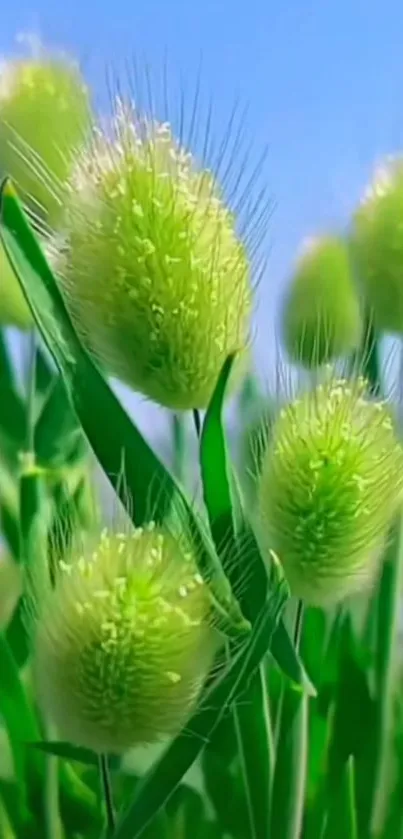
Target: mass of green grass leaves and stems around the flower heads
297,732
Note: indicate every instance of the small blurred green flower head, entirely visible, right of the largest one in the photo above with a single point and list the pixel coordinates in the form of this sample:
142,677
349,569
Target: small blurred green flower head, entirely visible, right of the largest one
321,316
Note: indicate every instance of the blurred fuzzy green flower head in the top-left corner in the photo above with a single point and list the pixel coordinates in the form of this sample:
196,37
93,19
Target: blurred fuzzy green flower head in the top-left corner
44,117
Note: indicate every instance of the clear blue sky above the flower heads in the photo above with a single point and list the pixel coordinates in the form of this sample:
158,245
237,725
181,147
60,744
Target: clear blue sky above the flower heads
323,81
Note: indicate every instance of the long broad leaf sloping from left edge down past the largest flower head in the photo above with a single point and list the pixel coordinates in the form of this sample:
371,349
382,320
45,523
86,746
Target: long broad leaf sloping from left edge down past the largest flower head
152,490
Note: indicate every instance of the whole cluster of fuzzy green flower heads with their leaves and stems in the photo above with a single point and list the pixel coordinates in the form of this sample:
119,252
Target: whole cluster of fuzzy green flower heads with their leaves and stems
218,664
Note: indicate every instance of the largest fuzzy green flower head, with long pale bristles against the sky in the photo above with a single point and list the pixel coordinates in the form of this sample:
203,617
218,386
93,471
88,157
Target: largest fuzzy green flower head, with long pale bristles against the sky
155,276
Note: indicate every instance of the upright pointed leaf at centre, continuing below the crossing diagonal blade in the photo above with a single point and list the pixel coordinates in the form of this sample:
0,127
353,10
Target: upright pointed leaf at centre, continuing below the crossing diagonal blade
227,522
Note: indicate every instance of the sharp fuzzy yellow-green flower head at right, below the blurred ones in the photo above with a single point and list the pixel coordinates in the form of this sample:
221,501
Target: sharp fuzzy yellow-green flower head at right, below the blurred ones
331,483
